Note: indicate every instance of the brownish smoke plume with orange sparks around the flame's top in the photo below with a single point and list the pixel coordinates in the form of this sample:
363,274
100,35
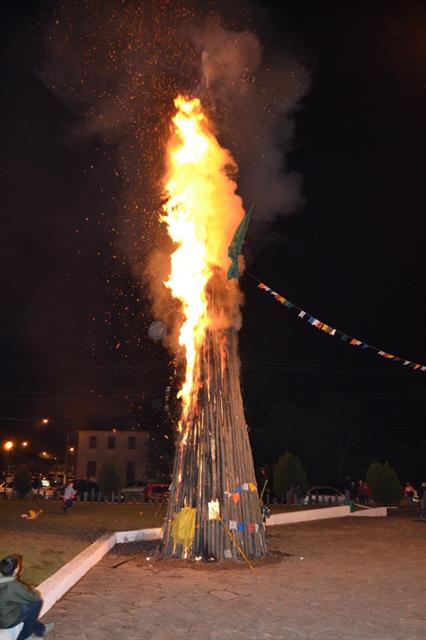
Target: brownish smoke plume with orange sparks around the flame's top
120,65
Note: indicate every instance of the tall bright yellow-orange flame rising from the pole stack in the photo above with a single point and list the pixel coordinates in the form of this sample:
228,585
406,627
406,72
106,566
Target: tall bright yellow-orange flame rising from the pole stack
202,212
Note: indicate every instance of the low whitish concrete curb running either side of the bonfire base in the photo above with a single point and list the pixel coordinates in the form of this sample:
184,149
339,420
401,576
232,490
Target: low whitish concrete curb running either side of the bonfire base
60,582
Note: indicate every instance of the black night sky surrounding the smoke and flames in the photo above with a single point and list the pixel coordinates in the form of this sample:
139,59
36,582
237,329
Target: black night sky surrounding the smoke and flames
349,249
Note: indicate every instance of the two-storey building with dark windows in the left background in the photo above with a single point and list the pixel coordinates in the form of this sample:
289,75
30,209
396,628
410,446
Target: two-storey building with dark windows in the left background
129,449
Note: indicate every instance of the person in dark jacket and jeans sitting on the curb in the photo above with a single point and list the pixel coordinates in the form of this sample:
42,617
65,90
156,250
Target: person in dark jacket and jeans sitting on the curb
18,602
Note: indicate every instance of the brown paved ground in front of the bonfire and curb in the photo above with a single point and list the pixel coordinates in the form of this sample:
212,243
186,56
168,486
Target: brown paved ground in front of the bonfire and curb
340,579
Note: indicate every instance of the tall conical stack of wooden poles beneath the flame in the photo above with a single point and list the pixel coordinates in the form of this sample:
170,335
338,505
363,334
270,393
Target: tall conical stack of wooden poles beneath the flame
214,462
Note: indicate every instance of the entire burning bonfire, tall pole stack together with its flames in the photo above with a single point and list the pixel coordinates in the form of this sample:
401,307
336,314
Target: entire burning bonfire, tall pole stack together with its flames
214,510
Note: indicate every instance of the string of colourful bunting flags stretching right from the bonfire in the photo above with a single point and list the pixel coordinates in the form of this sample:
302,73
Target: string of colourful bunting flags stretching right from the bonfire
322,326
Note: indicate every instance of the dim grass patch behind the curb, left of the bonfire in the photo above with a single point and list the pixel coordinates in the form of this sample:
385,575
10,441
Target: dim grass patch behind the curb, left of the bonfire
52,540
